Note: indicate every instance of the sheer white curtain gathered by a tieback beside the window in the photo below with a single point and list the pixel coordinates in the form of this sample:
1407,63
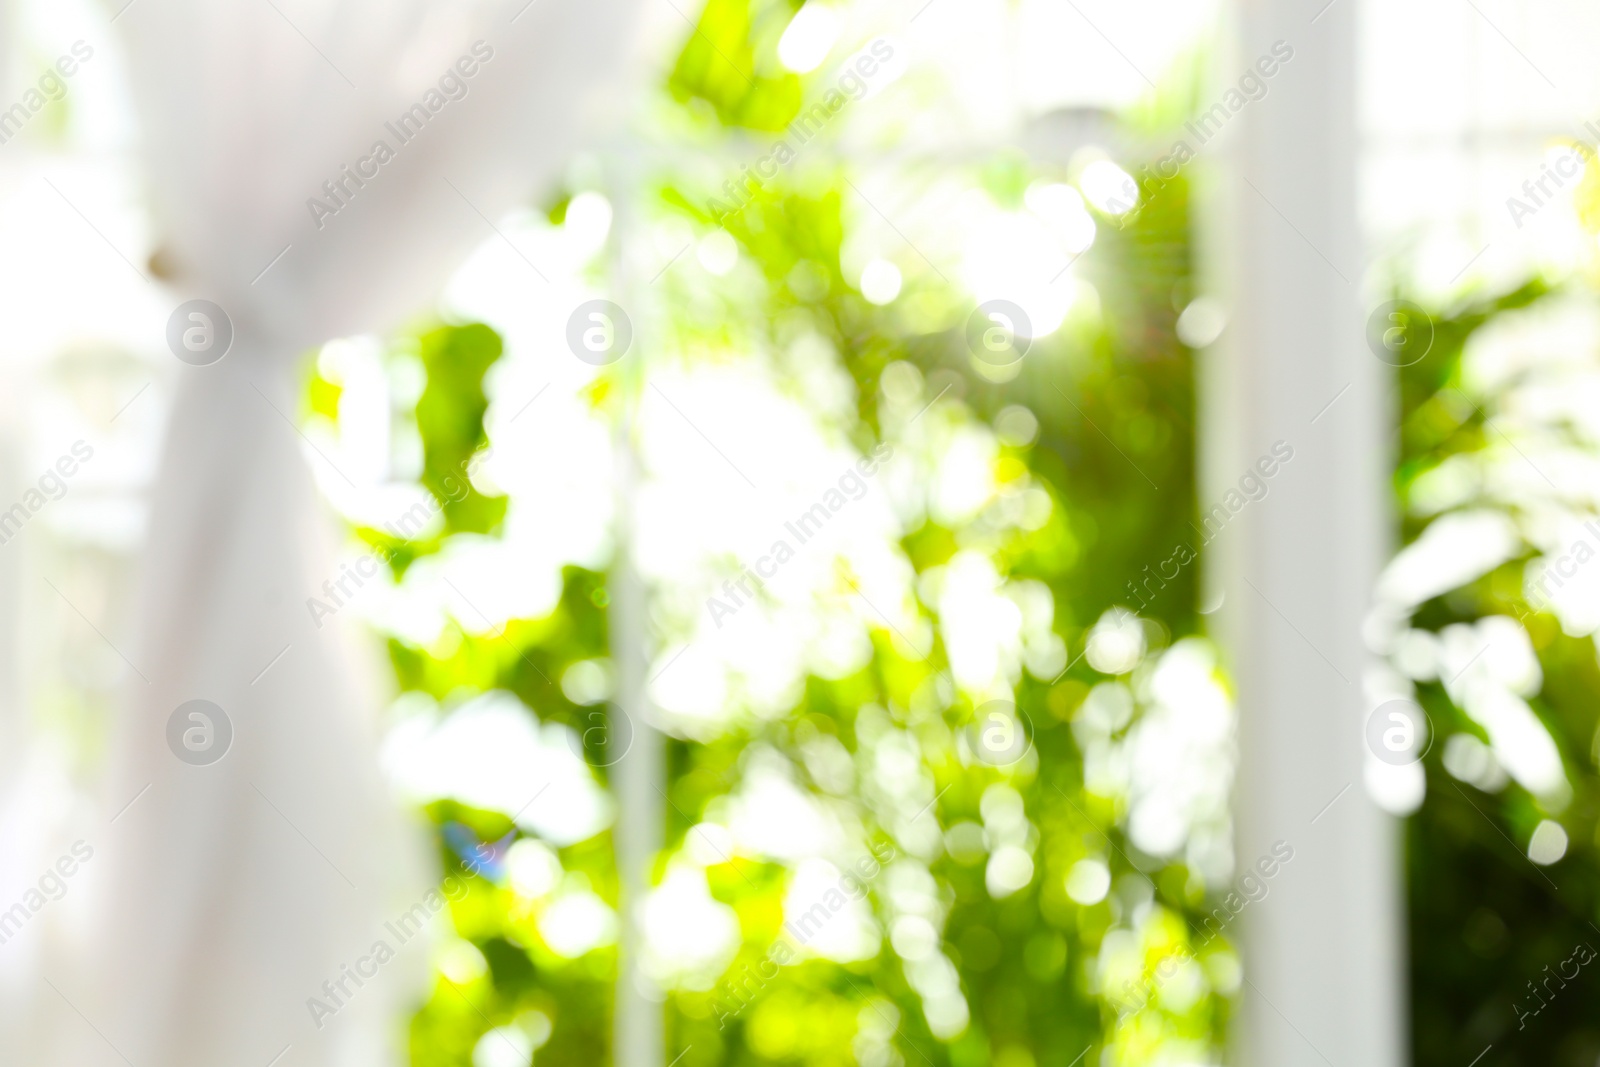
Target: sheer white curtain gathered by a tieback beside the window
233,892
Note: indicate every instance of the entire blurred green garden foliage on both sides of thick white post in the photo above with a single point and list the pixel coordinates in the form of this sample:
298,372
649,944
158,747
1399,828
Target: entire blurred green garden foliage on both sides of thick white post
1050,914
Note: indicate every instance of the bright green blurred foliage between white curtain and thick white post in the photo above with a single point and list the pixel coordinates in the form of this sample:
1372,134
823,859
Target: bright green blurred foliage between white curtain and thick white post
1113,455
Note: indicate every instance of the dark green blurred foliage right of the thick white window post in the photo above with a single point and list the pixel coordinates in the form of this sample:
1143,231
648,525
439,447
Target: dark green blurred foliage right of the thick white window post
1489,927
